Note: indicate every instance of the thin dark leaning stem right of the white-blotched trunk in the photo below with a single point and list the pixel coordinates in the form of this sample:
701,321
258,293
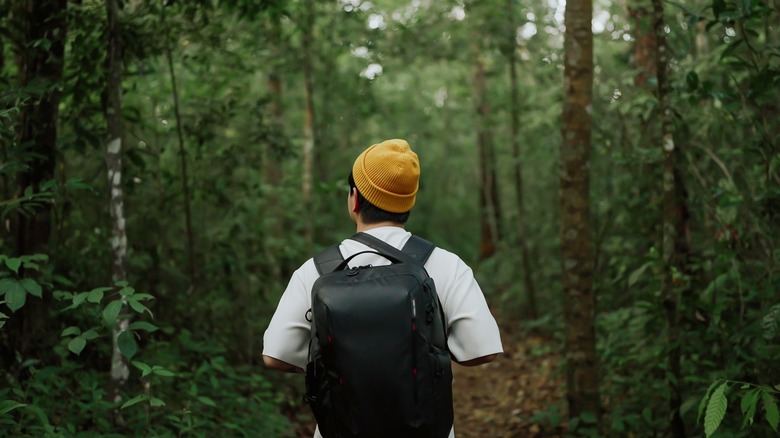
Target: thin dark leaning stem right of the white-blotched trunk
182,155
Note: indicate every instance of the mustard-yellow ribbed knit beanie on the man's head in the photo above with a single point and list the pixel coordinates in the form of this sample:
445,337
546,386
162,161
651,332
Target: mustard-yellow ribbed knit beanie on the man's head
387,175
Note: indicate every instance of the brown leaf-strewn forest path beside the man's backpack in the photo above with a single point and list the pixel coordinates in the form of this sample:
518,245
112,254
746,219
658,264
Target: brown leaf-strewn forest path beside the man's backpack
520,394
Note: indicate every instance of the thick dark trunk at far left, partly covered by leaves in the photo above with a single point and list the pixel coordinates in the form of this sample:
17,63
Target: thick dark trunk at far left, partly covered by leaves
40,67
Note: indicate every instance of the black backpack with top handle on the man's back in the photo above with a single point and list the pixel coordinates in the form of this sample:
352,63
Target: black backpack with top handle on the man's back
378,361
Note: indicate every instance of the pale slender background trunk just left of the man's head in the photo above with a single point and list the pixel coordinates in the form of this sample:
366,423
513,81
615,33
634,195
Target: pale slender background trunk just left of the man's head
308,122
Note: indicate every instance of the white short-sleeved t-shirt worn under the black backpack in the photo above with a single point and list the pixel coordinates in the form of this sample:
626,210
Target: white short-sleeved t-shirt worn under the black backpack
472,330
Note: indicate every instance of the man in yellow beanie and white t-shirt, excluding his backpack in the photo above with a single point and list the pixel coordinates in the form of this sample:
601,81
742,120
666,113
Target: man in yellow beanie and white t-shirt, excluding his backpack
383,187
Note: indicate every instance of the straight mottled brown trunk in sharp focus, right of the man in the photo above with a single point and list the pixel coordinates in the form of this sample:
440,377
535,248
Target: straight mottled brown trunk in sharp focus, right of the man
579,296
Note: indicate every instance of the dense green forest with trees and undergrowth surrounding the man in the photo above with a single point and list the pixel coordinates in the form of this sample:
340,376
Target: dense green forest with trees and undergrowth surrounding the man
610,169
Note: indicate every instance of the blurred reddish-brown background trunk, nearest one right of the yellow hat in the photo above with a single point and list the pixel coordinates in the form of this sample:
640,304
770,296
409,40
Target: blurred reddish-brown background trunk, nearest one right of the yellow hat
488,187
